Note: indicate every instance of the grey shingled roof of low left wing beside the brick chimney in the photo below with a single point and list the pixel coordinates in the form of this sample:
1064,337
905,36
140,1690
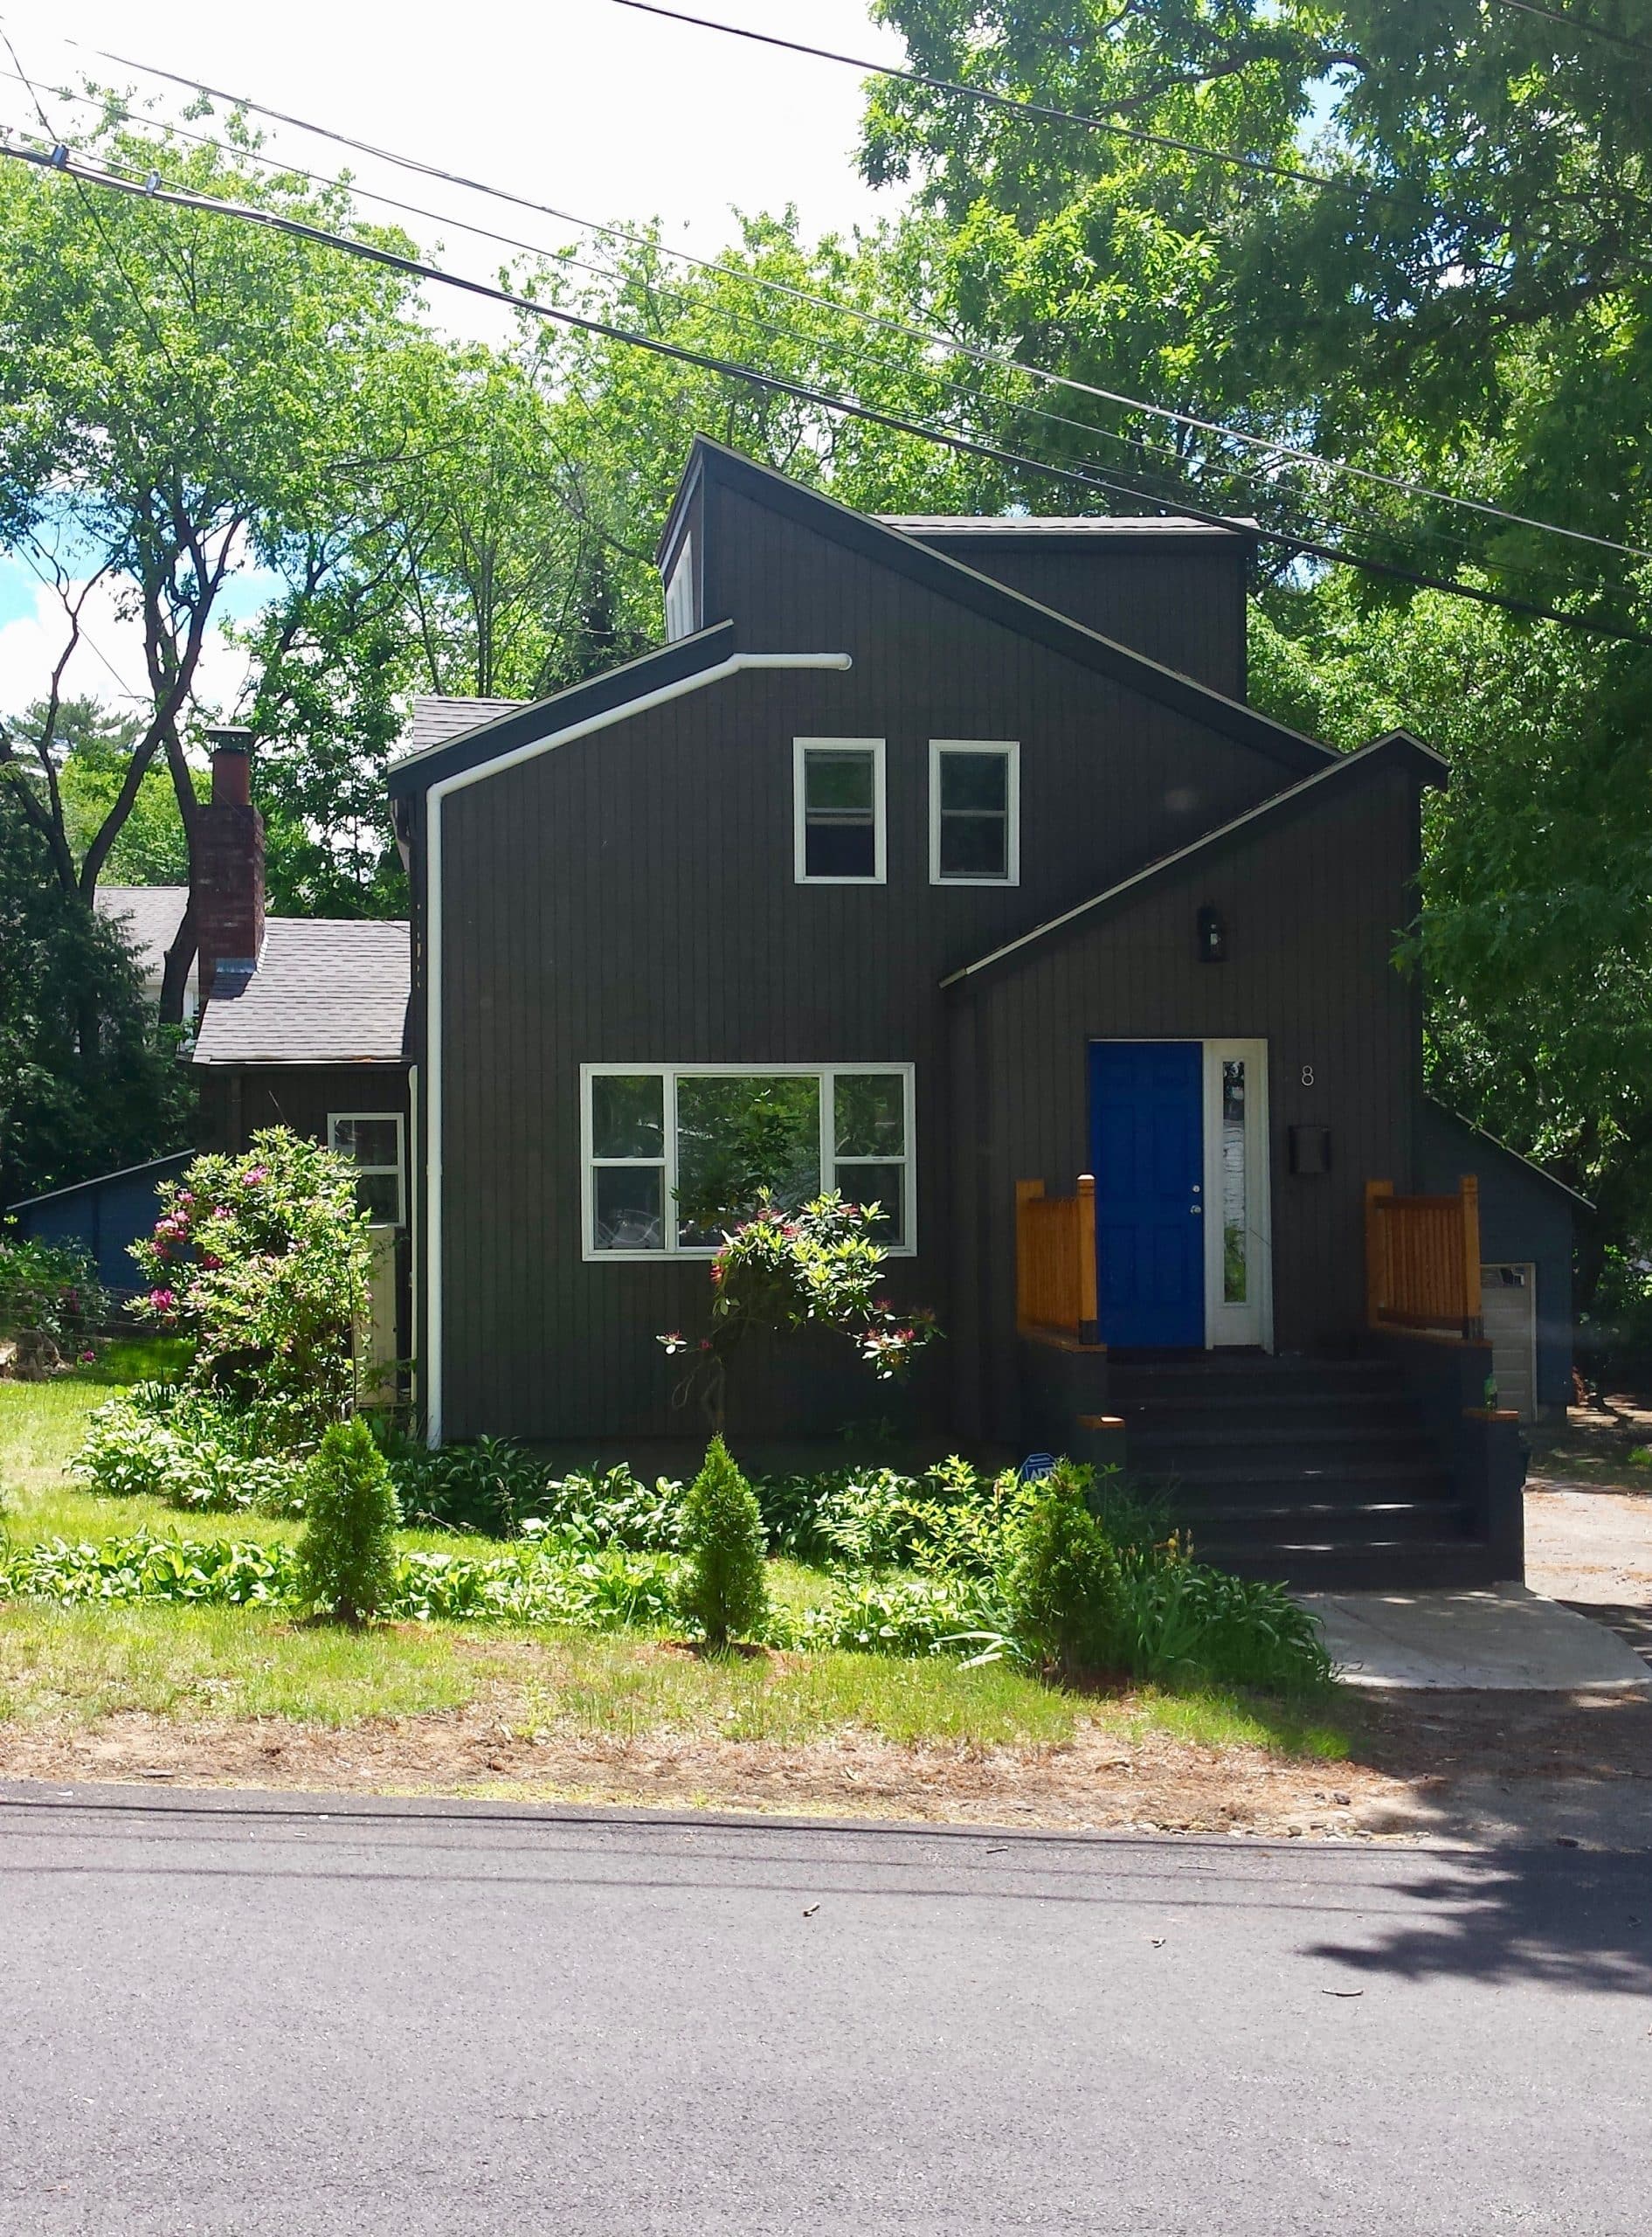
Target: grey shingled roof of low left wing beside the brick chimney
325,992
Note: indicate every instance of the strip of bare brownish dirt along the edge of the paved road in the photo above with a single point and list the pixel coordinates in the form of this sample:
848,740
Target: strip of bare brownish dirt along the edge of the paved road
1465,1766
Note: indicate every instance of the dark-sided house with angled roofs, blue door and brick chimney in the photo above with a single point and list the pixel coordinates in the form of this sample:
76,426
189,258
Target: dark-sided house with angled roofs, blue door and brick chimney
949,860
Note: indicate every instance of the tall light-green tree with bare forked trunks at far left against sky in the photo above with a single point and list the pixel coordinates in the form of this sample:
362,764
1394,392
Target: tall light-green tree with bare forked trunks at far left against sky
182,397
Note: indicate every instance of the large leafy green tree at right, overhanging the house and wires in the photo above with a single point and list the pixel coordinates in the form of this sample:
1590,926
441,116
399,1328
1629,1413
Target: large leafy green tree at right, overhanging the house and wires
1468,308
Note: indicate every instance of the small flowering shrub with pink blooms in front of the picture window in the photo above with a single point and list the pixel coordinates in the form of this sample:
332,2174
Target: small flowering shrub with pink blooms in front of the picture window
784,1272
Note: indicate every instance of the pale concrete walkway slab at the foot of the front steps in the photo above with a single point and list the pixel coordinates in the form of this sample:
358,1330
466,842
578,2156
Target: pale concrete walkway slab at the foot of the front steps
1494,1641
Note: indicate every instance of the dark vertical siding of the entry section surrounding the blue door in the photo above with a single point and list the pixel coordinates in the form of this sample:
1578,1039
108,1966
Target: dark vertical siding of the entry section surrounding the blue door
1313,916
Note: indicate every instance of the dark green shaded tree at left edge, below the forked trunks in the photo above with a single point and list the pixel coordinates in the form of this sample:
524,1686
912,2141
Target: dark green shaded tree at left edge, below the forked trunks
84,1082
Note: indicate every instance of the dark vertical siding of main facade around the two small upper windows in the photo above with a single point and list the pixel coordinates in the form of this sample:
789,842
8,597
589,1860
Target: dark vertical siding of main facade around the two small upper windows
632,900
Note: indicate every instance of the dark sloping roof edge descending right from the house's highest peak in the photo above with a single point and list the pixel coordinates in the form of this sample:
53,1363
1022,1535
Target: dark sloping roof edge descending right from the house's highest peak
994,601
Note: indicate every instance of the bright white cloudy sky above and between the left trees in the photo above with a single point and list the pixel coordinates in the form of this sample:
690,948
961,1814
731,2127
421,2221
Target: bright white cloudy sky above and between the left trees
580,104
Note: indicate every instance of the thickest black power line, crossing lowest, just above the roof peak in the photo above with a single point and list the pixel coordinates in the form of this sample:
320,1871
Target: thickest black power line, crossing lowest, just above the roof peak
732,370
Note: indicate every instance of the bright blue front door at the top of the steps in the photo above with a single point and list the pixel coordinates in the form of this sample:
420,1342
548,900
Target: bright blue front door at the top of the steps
1148,1151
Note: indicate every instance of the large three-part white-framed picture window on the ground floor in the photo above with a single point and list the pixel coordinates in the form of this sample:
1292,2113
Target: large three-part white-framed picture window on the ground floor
676,1155
